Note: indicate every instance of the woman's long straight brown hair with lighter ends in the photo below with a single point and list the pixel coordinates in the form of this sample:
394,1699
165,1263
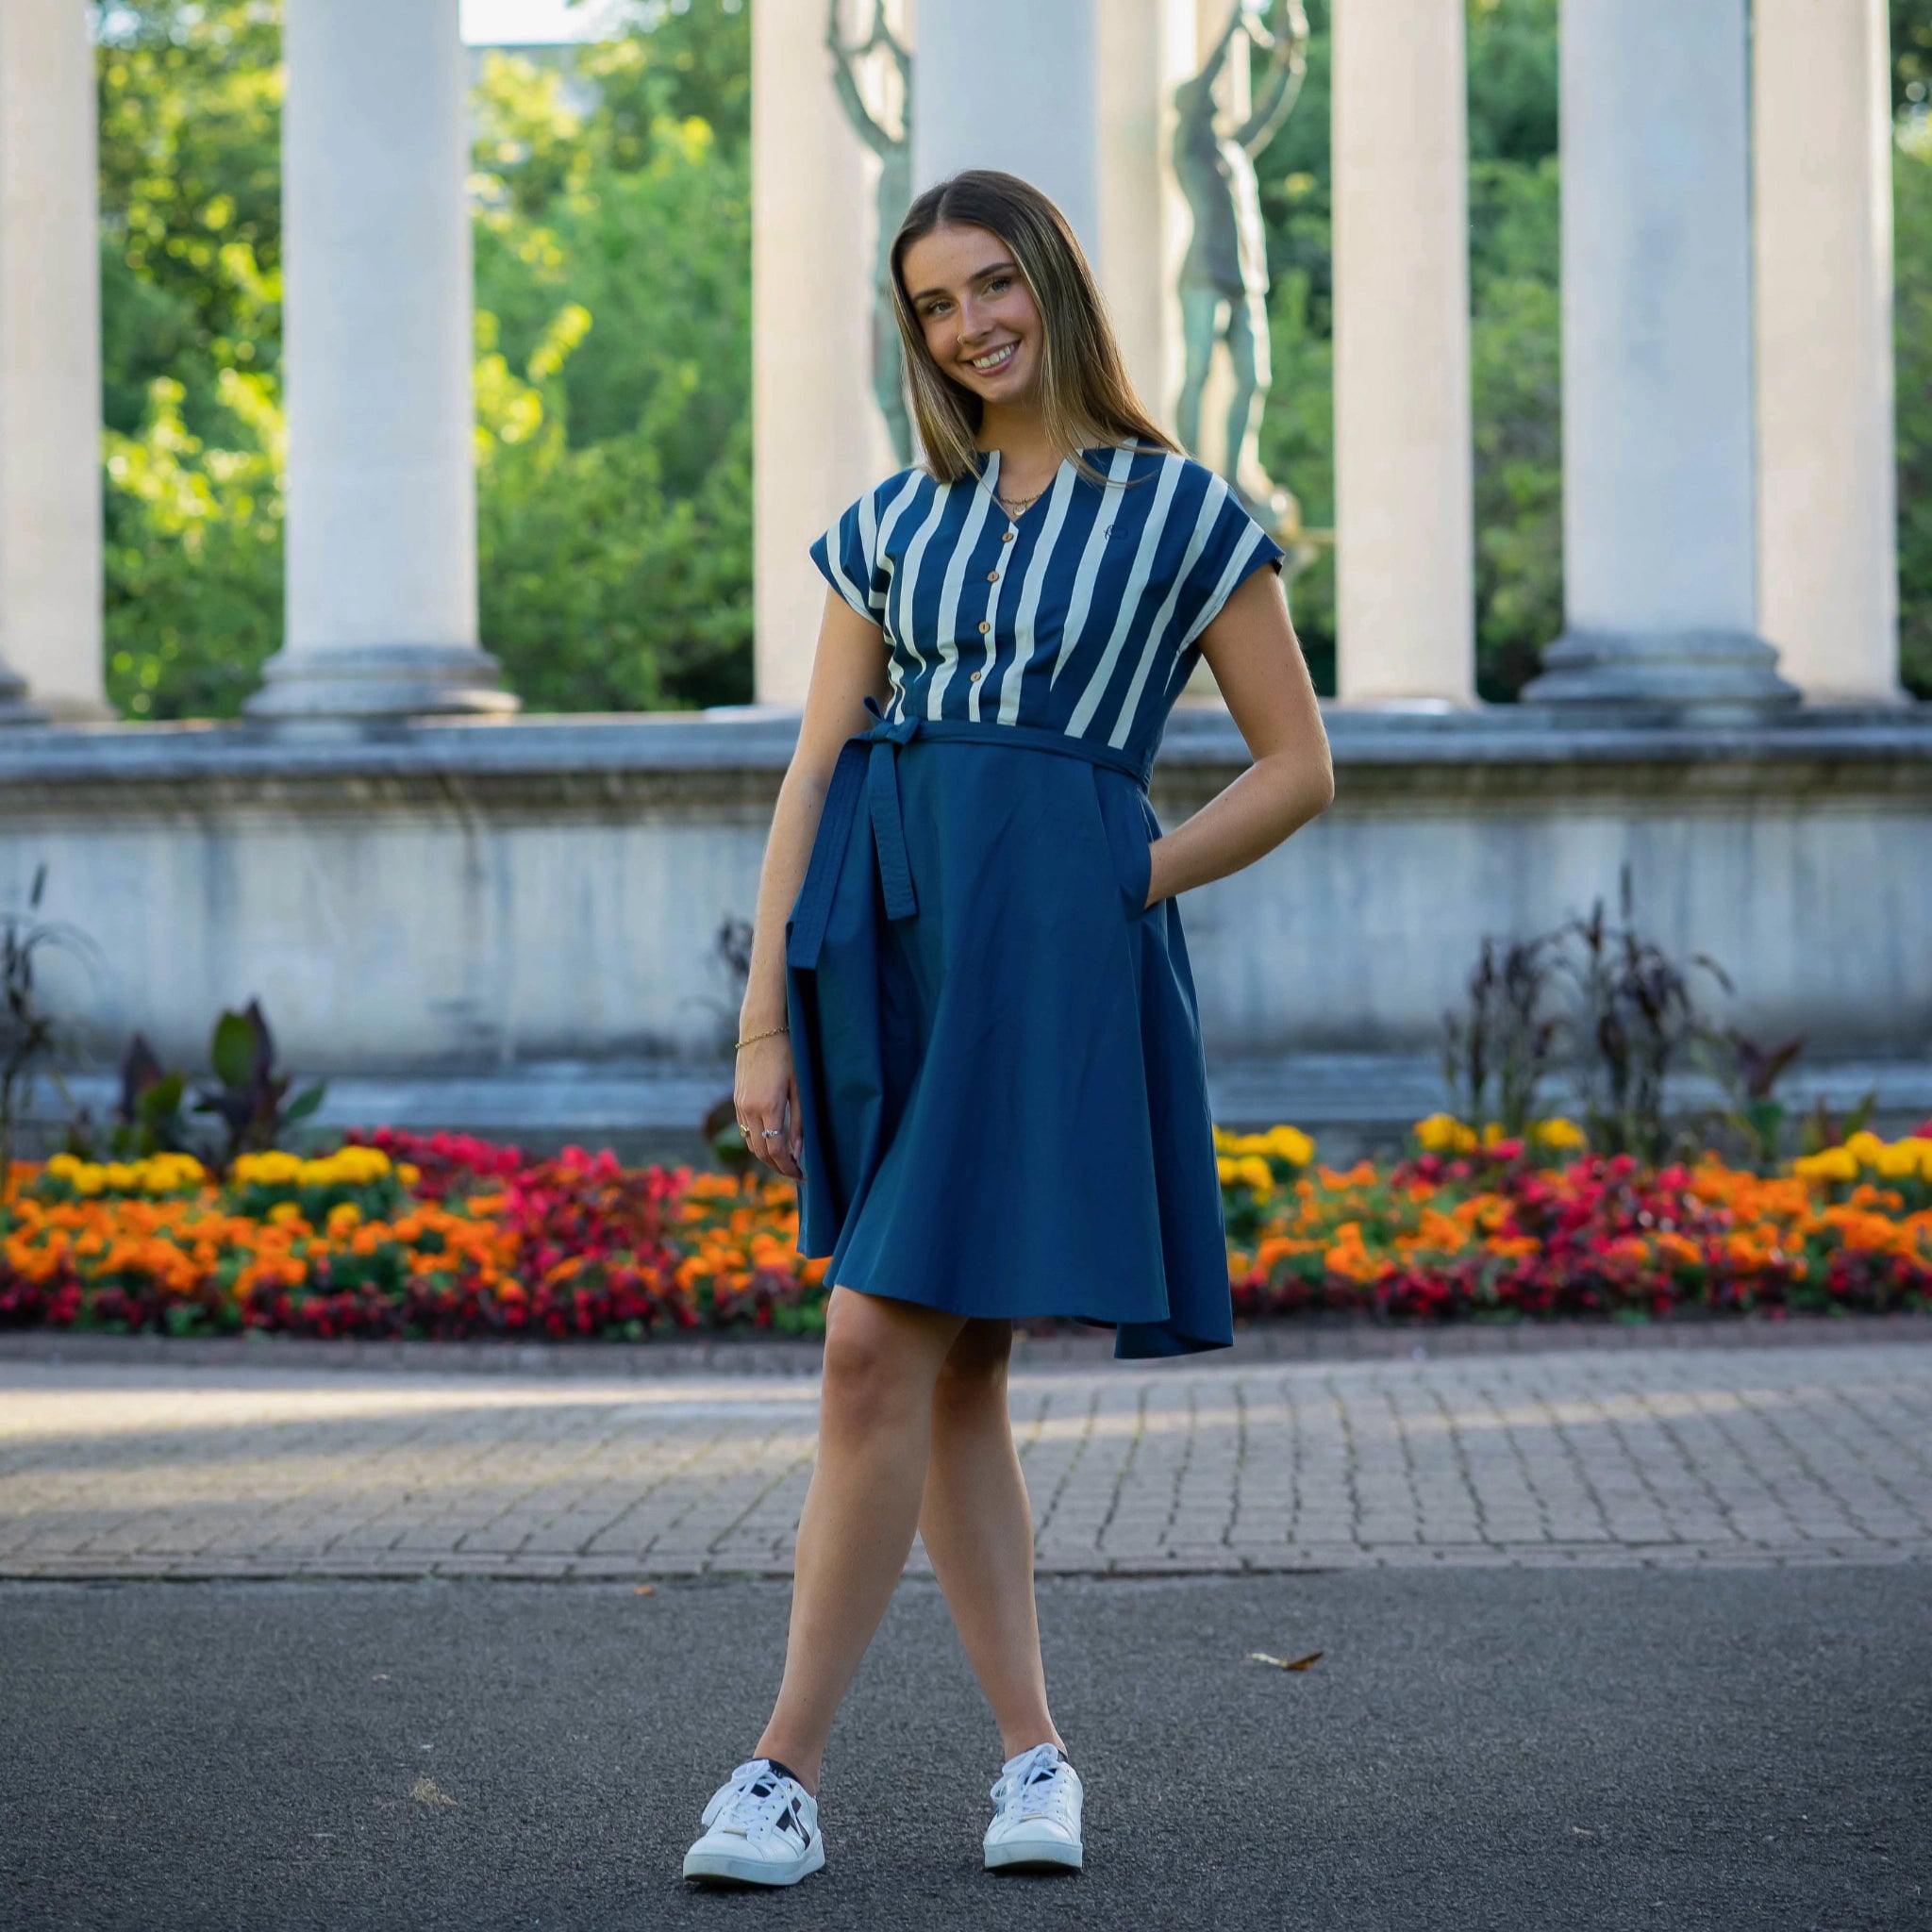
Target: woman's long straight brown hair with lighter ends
1085,391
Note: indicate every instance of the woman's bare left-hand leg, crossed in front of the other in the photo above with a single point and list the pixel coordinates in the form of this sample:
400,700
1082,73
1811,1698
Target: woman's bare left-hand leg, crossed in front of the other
876,1429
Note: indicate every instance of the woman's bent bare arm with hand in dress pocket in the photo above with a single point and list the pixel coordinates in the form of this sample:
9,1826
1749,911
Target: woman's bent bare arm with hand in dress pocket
1257,662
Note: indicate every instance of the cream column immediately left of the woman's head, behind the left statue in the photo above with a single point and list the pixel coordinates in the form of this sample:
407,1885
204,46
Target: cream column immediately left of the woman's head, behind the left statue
818,438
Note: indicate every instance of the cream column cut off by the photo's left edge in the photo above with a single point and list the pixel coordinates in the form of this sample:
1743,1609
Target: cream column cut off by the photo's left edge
49,366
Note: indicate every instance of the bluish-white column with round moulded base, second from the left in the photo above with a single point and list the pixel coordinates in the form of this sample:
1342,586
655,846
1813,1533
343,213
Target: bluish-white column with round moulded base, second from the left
378,351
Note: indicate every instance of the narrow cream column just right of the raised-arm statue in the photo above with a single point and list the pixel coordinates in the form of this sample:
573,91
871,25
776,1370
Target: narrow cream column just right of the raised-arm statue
1404,463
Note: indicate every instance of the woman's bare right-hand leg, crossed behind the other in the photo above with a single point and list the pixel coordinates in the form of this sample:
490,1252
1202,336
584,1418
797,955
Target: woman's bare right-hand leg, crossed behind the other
979,1531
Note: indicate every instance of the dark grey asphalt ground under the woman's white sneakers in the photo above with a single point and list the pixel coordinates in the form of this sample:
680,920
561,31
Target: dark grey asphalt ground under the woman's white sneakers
1492,1747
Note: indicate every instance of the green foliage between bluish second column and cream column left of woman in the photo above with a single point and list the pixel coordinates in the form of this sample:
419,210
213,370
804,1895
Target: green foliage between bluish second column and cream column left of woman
613,273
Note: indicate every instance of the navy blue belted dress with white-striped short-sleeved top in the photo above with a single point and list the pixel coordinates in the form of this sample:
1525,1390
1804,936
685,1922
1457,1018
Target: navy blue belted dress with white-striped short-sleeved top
996,1040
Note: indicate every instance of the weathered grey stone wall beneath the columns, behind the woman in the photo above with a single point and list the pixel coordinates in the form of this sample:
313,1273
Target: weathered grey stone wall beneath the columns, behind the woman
534,903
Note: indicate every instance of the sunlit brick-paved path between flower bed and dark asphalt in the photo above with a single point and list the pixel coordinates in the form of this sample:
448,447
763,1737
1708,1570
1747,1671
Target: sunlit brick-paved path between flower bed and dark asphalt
1628,1458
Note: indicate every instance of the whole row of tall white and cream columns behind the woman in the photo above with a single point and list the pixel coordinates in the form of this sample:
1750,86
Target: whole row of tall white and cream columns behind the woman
1728,447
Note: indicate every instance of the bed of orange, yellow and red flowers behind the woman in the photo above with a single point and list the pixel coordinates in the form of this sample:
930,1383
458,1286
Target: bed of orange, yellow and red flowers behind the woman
455,1237
